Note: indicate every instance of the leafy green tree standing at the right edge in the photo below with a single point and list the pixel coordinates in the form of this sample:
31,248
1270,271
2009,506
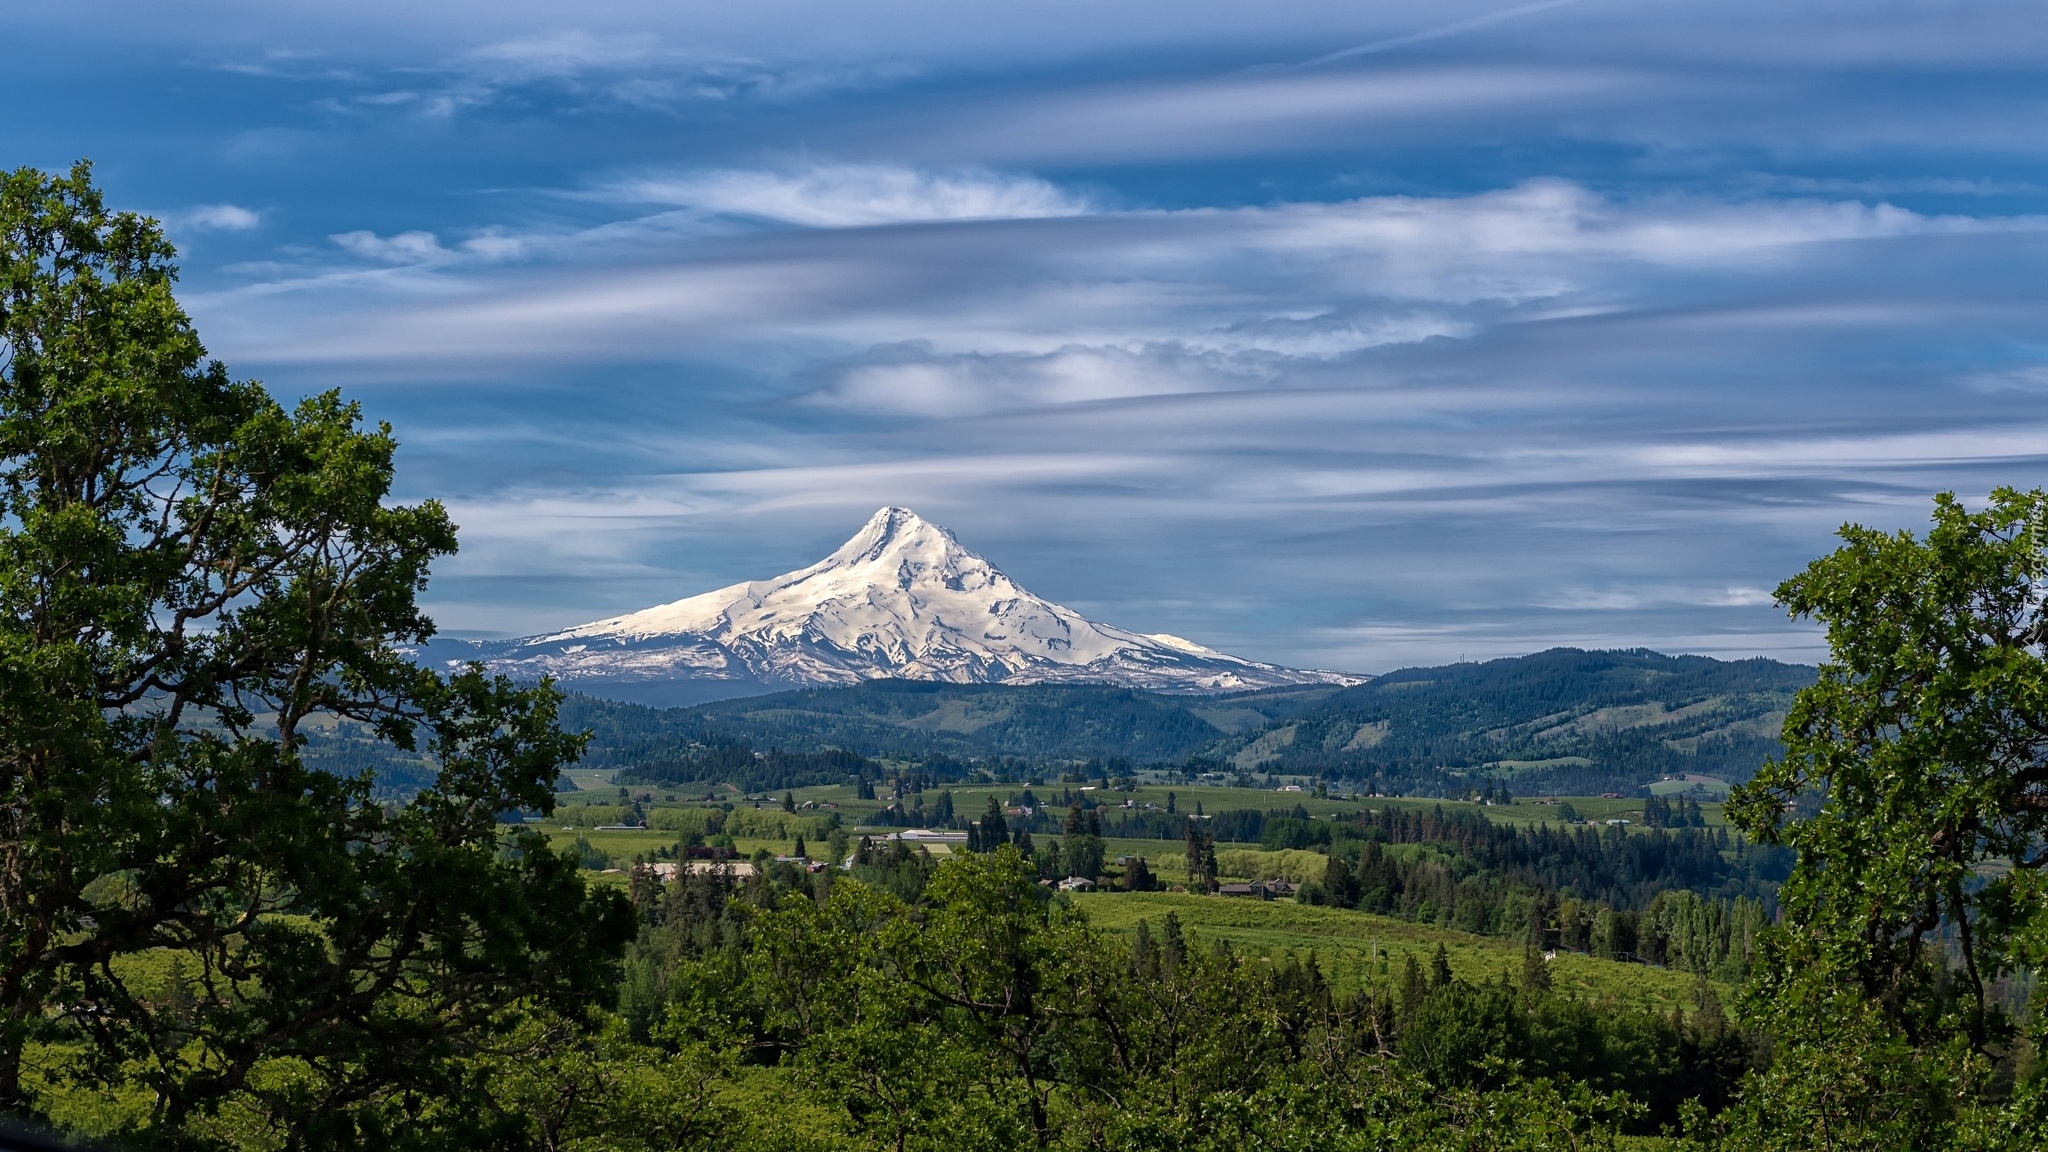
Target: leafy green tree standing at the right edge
1916,792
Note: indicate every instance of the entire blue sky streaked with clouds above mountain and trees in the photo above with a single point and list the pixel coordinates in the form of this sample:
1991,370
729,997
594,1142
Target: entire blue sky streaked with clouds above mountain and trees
1347,335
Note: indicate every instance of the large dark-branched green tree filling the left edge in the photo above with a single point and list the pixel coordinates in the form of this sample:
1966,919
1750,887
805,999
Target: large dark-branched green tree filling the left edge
189,577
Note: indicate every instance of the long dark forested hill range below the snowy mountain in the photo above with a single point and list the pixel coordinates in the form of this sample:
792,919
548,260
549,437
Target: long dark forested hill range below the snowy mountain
1562,721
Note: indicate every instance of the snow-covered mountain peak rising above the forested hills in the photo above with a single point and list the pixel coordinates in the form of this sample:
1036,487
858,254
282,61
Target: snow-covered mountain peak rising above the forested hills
902,600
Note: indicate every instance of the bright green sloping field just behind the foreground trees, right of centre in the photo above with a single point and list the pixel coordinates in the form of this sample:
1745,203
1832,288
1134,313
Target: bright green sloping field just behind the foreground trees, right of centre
1345,944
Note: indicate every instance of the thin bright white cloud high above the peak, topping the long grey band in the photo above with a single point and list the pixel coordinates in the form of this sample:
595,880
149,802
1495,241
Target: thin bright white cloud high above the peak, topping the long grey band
855,196
